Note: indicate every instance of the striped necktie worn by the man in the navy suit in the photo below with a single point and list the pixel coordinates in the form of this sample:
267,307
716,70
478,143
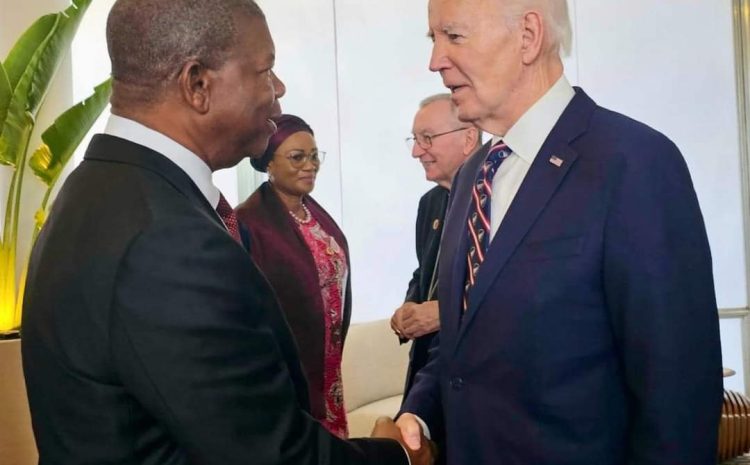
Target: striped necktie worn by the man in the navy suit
479,215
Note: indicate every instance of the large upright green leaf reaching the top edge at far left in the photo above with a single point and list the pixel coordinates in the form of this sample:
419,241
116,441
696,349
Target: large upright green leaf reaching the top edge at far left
30,87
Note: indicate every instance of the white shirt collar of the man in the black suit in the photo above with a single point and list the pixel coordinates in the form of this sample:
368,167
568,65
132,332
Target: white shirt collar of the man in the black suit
187,161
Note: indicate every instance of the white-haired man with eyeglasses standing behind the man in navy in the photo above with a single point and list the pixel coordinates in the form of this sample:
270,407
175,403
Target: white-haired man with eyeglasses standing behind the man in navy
441,143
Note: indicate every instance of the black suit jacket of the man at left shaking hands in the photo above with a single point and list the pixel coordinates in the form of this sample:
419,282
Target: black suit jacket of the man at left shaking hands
149,337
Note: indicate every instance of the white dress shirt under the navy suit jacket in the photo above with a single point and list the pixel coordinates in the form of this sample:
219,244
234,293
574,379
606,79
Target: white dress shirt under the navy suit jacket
525,138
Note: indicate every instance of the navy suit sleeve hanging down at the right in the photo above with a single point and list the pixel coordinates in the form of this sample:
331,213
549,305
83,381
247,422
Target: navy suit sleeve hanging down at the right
659,288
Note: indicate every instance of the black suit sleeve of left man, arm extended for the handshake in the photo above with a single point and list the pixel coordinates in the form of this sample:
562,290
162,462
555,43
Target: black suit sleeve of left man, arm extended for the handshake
193,341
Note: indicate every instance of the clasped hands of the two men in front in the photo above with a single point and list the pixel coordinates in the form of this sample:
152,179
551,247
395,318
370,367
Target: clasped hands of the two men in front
408,433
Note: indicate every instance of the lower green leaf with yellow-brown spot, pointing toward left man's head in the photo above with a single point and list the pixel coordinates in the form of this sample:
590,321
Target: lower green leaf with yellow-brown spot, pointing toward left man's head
63,136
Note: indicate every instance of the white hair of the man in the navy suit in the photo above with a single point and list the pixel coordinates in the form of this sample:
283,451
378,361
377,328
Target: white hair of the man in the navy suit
556,18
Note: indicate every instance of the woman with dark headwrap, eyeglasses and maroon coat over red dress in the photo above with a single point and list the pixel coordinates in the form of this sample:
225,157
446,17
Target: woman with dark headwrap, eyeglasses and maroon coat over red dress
304,255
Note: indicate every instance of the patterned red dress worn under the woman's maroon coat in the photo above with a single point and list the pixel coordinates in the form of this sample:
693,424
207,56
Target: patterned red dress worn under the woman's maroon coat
330,261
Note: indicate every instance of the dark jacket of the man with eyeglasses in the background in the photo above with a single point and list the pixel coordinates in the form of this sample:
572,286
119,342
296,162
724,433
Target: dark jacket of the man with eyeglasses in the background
429,228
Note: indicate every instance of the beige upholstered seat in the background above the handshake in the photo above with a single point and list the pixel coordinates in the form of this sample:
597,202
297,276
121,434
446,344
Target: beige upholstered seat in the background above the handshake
373,371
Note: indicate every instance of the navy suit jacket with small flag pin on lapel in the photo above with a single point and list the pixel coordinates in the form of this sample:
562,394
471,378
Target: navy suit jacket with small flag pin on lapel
591,336
